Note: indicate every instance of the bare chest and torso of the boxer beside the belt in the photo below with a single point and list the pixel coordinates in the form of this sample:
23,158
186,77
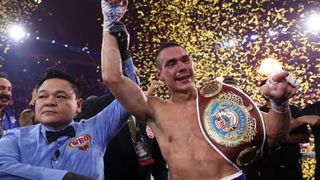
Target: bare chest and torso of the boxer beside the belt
185,148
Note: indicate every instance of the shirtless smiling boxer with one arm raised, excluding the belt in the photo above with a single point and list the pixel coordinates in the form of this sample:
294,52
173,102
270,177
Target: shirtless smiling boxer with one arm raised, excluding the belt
174,122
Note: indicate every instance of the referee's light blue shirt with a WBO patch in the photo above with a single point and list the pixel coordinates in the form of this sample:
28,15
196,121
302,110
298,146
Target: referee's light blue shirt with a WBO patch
26,154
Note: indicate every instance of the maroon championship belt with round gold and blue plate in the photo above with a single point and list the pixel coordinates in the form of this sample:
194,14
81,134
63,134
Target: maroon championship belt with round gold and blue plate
231,123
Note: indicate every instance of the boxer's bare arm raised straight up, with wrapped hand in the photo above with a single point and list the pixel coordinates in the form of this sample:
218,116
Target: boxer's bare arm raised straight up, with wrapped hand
126,91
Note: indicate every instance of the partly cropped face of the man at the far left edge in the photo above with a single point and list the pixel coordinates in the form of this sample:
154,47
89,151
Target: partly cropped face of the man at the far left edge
5,92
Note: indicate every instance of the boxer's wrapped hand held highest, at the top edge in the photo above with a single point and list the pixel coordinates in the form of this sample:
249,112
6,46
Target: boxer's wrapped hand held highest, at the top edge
112,10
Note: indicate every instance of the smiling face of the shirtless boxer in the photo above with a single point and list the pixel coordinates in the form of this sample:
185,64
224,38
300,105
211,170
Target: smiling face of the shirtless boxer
176,69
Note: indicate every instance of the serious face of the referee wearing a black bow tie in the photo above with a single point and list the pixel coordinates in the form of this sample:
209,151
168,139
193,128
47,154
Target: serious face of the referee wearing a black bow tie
56,103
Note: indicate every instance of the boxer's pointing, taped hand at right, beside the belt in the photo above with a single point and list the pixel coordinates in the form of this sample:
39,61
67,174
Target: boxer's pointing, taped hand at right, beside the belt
279,90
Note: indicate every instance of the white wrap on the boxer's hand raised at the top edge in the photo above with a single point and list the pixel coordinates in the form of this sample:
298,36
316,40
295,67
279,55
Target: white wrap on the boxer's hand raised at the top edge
111,14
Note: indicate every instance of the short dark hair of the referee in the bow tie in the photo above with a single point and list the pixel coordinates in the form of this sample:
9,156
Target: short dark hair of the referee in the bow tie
55,73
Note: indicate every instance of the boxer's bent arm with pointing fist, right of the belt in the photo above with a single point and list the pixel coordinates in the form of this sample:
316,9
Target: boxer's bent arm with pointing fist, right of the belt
278,89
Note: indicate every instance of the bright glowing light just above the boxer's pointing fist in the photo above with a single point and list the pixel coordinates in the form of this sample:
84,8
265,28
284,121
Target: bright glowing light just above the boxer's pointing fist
269,66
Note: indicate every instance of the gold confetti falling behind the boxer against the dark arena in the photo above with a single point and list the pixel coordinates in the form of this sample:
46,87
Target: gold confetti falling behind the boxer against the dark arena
232,38
